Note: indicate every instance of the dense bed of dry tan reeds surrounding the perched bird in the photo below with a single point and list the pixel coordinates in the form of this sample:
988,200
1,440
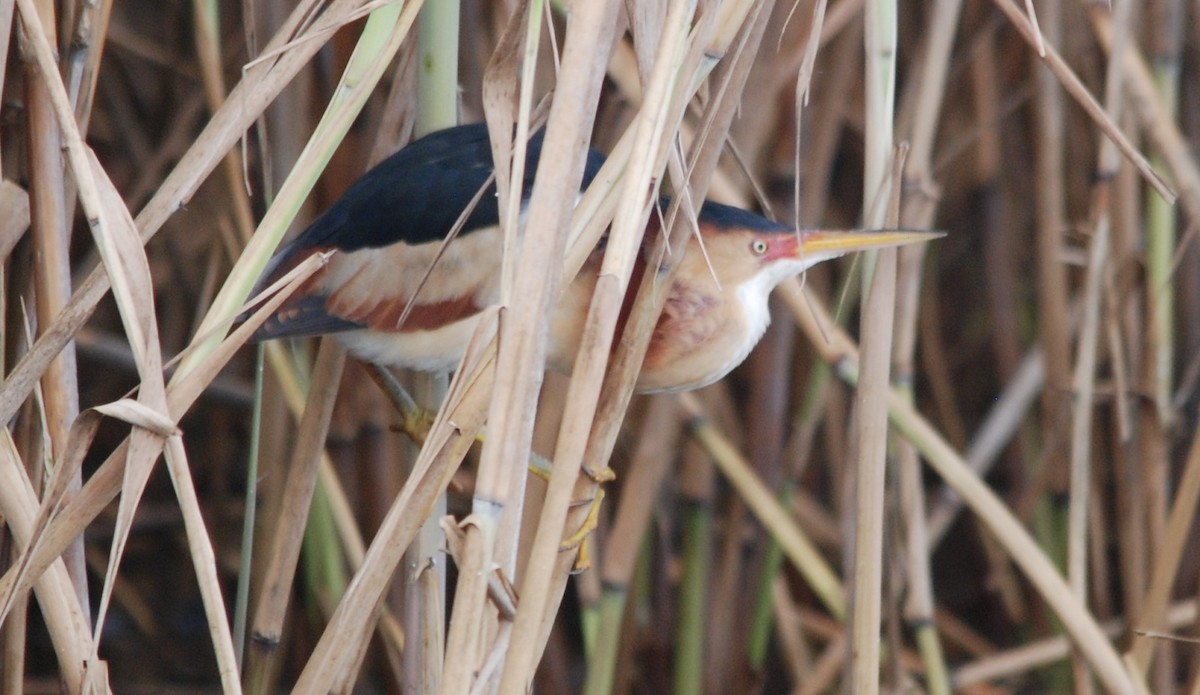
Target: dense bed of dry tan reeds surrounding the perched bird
971,466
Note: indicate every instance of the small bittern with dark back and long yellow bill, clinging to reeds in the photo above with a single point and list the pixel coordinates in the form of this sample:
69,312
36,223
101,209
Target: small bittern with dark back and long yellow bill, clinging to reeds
395,298
